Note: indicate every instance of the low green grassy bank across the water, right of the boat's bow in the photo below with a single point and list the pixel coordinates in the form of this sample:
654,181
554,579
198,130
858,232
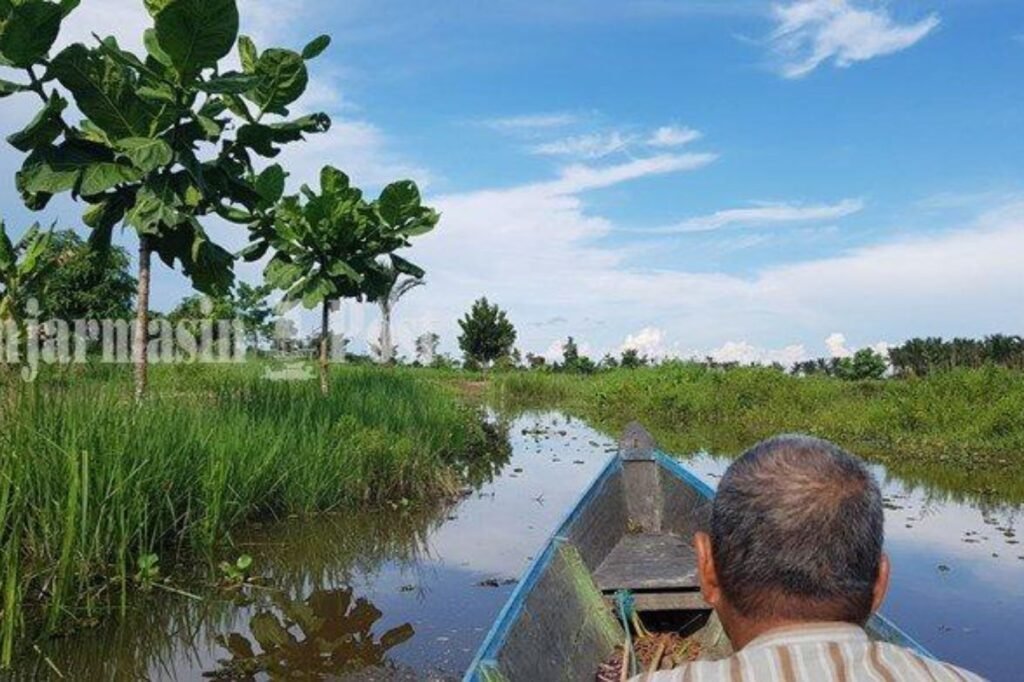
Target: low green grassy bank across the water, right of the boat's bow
962,432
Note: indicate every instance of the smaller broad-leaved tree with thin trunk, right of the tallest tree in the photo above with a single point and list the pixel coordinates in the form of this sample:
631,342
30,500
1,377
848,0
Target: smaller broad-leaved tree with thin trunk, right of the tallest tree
329,246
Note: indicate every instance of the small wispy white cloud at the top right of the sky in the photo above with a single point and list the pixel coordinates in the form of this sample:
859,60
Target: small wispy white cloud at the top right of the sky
812,32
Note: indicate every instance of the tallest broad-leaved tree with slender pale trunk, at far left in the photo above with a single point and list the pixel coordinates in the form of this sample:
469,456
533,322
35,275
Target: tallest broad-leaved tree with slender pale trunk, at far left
166,140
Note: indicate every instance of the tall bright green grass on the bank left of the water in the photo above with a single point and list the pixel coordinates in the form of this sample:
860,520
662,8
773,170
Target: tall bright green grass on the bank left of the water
90,482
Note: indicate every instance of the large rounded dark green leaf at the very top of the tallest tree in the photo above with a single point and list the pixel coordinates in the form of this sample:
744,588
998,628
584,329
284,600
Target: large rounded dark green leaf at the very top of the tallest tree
197,34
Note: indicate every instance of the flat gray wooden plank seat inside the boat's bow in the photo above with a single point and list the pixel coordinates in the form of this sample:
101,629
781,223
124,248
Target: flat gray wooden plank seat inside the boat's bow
649,562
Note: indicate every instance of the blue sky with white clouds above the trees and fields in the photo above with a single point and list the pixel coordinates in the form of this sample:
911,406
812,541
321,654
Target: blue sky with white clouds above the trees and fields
740,179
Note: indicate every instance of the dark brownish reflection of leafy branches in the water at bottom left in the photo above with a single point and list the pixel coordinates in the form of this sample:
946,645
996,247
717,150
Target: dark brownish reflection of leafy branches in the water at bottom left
326,634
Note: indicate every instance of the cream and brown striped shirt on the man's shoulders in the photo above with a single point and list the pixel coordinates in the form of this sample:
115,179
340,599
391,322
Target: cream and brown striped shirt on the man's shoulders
817,653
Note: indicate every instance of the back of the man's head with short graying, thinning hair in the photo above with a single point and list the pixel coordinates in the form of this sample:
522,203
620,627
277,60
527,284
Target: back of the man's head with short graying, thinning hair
797,531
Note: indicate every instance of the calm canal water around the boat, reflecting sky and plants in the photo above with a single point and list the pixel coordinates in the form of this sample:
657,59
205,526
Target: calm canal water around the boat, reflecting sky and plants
410,595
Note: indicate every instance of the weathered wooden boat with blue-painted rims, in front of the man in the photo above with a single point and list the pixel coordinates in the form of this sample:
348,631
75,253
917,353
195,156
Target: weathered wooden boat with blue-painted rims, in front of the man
631,531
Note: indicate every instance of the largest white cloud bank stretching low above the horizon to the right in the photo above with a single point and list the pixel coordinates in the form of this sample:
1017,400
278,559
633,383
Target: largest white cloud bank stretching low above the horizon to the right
538,252
